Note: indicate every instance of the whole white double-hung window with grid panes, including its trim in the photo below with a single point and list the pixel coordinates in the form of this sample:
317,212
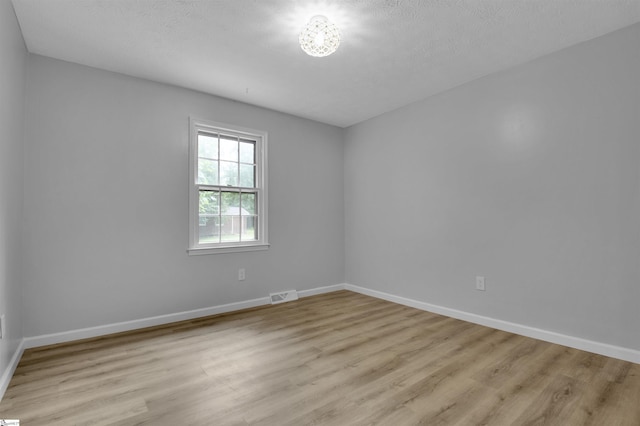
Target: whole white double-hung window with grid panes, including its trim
228,188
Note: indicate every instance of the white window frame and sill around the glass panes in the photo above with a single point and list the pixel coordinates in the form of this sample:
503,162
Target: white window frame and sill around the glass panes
197,126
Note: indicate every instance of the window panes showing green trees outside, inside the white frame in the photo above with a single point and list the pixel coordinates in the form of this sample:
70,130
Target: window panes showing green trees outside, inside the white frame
227,204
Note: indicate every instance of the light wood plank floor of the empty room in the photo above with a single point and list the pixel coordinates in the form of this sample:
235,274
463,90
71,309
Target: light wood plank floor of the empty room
335,359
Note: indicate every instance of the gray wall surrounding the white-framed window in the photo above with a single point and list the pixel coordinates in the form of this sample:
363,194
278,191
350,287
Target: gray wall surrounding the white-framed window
106,210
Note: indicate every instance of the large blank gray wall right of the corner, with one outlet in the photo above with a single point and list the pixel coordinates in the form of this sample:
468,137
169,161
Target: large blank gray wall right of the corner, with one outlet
529,177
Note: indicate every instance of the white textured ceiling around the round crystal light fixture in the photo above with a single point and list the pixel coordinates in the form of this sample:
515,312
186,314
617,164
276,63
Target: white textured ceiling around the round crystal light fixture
394,52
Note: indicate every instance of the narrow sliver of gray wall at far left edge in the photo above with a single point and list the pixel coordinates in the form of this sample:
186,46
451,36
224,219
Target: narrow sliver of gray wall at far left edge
13,60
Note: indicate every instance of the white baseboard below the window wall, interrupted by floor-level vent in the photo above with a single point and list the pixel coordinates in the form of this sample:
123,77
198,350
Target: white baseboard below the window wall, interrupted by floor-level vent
84,333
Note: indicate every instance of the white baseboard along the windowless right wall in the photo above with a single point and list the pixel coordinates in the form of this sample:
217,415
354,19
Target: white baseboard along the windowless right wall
606,349
